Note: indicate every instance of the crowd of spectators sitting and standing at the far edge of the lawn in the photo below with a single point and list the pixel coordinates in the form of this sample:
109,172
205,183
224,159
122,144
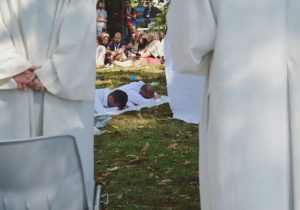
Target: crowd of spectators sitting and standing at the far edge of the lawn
135,46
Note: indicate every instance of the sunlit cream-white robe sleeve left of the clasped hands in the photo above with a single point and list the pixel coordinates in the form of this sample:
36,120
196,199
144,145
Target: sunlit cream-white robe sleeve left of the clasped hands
11,61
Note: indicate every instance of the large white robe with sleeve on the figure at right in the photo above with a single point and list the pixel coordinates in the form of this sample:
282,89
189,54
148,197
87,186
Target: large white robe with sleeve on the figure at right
249,145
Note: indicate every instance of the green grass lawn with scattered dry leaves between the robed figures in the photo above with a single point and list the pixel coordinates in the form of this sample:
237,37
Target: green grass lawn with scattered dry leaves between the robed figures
146,159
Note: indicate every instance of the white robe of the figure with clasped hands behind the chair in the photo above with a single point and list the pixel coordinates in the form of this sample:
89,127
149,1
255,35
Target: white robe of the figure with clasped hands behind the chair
60,36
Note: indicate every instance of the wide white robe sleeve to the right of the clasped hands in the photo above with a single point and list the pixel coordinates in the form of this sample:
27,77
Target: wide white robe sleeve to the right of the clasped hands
69,73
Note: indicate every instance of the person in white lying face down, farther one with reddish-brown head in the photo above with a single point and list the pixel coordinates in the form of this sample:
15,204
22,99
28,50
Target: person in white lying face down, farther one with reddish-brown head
139,93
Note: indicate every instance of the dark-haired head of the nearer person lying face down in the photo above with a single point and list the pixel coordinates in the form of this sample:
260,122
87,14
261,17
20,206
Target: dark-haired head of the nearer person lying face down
117,98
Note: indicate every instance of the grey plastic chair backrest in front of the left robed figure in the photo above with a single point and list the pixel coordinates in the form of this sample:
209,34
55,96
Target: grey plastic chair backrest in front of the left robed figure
42,173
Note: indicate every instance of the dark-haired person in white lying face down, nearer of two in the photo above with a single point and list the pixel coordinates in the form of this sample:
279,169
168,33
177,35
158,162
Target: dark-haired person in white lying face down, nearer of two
105,98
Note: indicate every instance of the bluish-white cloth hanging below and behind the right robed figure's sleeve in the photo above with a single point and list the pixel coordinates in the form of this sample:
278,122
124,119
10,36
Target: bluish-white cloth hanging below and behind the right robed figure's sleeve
185,91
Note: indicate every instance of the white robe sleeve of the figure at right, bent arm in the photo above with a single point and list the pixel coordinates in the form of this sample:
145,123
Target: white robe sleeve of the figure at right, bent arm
191,32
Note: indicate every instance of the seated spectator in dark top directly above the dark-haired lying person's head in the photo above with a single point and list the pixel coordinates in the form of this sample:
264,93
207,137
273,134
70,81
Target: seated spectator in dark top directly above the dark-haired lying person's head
117,48
